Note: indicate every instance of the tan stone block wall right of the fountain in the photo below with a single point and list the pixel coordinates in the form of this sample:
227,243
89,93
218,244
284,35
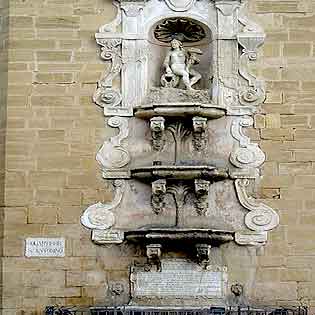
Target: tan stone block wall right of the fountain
285,131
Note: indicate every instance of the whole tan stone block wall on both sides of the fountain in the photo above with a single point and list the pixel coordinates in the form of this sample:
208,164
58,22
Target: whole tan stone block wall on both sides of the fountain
54,131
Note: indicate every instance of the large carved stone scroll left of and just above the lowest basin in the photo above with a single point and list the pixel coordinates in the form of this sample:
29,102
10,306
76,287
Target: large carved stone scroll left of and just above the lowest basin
100,216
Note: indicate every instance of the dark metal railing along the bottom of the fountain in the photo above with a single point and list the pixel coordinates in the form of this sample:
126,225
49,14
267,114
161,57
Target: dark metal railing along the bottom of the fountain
55,310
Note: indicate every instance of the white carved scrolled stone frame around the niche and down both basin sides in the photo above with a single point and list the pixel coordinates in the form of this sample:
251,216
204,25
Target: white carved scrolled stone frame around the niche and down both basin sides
234,88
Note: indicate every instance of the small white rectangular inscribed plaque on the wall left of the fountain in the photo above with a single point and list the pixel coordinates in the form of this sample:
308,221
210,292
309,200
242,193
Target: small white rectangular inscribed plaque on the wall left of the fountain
45,247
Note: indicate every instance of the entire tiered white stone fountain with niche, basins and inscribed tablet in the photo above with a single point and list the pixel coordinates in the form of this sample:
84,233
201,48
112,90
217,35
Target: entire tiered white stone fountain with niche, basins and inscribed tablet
180,93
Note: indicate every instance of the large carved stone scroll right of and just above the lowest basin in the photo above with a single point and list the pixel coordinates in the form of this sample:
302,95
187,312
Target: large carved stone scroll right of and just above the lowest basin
260,217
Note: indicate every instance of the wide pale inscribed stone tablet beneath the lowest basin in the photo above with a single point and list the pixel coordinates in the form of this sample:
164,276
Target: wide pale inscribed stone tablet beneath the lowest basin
180,279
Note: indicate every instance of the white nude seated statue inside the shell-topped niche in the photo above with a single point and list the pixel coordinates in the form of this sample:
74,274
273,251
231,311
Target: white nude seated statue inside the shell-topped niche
178,66
